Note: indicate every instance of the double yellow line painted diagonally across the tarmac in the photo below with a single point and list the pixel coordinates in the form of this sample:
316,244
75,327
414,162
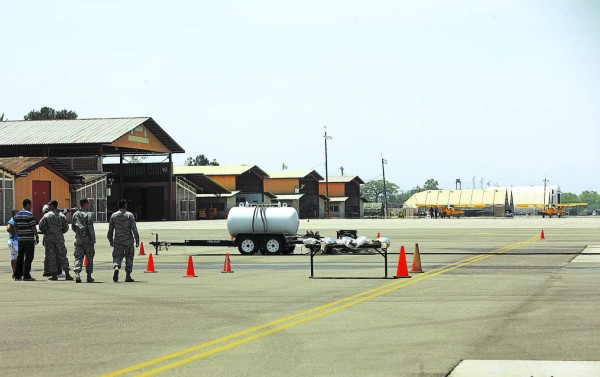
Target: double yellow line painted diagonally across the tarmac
255,333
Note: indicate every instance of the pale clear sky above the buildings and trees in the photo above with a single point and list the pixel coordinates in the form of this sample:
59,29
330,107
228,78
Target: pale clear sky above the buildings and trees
504,91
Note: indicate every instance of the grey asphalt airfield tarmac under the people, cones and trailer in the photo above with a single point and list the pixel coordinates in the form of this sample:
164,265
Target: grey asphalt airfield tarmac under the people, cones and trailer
525,301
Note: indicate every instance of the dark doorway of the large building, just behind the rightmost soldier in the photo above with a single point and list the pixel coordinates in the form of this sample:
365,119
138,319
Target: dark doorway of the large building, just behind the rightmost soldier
146,203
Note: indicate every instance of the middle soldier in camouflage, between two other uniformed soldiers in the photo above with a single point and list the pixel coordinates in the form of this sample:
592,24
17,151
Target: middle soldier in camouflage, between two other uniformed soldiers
85,238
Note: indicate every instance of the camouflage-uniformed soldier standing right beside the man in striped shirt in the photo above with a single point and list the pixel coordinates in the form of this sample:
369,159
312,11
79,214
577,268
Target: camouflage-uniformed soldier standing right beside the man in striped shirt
54,225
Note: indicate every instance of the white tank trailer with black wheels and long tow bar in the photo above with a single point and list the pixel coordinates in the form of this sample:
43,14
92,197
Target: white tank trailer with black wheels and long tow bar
271,230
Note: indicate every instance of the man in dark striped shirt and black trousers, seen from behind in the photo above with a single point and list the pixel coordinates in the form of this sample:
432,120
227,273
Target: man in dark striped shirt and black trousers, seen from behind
28,238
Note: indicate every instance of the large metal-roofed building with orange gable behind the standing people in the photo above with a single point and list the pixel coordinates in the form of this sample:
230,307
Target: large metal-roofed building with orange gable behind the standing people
76,153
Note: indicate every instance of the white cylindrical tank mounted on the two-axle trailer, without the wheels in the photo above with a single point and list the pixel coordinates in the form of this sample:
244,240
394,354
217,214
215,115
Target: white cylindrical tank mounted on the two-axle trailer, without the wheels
261,220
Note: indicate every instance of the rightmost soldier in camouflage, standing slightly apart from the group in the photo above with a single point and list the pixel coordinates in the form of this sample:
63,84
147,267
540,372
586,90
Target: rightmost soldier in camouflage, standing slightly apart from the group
122,226
